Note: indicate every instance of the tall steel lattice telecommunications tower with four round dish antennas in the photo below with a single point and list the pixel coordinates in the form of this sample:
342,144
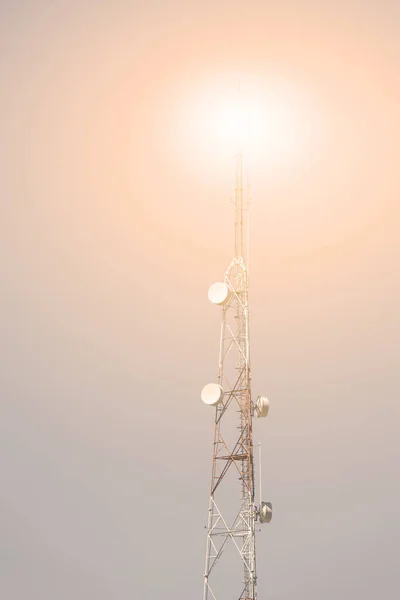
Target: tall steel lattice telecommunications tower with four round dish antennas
230,566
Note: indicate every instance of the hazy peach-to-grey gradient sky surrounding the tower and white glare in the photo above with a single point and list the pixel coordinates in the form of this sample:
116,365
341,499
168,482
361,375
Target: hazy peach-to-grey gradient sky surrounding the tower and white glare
114,221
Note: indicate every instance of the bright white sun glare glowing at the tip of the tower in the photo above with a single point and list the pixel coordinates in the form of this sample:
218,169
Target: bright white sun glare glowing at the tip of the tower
273,122
